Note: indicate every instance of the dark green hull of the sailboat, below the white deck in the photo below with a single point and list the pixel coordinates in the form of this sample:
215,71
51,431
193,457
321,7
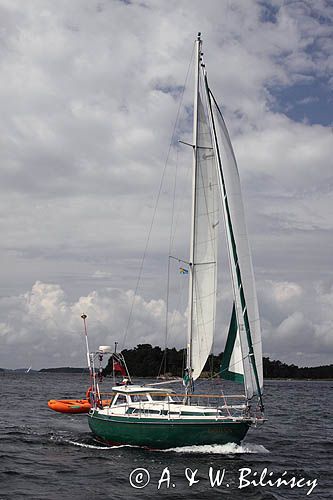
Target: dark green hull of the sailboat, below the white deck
159,434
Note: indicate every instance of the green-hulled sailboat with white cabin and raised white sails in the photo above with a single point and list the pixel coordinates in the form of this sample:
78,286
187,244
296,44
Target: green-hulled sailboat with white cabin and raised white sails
153,416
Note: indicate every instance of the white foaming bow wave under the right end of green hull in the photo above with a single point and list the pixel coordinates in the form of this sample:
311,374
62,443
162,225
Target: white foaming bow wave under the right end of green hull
221,449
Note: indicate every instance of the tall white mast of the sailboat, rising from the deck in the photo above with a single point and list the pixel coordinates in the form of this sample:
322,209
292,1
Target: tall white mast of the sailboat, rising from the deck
194,187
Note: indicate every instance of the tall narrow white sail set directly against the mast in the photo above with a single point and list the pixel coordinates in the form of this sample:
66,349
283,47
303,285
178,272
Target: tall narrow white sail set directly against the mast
204,274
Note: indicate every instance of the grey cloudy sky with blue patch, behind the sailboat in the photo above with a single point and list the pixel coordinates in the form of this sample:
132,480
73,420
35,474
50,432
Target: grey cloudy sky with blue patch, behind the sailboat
89,94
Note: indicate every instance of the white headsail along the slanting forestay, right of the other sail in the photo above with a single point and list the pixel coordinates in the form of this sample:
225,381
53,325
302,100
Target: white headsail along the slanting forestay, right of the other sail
239,245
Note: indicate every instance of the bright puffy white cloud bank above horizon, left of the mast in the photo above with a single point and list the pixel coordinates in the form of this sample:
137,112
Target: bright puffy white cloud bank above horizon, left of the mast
43,327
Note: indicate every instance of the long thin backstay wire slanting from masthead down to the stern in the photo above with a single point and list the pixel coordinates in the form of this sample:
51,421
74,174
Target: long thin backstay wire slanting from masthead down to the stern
157,201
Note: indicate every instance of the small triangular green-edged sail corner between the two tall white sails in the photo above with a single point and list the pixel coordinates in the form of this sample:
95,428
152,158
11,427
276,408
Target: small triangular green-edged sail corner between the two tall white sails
232,360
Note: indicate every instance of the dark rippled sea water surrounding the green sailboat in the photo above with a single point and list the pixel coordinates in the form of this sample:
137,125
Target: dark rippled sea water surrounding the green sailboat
47,455
